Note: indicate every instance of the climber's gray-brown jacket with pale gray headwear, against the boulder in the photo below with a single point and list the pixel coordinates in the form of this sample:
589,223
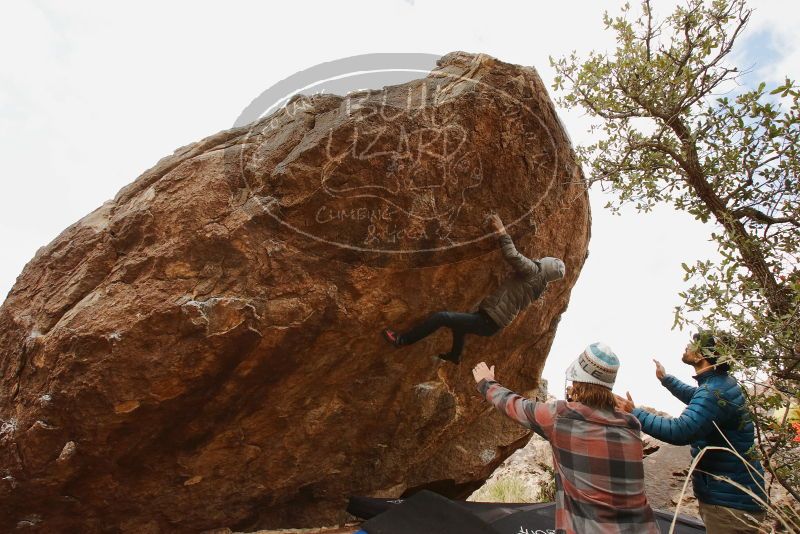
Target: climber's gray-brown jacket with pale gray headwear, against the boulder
525,285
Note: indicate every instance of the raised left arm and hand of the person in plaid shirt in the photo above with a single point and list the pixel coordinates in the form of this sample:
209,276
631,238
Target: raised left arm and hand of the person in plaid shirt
538,416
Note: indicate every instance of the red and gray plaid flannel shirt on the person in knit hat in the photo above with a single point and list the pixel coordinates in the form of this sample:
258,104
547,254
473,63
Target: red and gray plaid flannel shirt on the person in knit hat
597,457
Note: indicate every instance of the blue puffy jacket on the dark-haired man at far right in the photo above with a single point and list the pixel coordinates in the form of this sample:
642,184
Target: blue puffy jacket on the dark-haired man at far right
717,399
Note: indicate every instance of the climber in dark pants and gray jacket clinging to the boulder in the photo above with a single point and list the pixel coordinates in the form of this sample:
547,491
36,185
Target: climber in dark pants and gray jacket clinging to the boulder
495,312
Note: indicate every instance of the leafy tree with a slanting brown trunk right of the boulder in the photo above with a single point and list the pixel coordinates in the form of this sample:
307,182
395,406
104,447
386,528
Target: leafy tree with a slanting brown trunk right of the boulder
669,134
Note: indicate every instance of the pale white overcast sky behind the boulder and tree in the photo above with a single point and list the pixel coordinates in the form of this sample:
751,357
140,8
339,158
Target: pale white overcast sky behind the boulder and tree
94,93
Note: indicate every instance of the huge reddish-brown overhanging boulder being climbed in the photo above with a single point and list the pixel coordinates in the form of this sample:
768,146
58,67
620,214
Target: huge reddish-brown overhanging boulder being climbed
204,350
